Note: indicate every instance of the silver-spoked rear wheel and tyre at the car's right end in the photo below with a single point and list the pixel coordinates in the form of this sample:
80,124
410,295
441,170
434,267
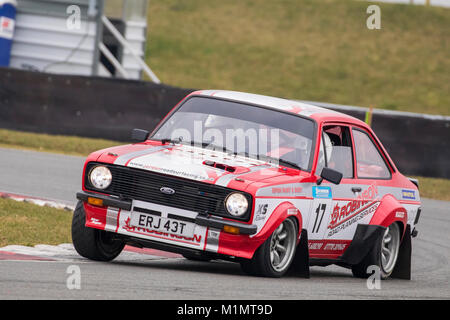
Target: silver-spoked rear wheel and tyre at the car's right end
383,255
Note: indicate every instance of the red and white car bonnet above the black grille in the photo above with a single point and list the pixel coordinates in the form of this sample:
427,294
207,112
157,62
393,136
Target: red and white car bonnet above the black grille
194,163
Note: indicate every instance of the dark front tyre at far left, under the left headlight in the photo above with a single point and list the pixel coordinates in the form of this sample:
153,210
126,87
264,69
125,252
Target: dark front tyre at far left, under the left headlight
92,243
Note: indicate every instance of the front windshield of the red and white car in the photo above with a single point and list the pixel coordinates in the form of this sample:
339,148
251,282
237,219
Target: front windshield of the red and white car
236,128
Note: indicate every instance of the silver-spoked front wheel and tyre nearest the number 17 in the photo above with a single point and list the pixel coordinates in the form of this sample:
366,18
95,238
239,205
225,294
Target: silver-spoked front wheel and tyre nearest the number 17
274,257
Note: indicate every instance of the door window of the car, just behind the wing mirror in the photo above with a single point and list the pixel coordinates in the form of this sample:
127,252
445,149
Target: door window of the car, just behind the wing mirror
336,150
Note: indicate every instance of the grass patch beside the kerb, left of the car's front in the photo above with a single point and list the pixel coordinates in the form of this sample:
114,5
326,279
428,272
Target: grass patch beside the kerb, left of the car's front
28,224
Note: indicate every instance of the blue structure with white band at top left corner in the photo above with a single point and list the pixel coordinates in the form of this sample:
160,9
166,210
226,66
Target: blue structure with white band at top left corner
7,22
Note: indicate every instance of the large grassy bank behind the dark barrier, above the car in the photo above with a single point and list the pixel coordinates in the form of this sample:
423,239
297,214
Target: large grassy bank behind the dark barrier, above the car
319,50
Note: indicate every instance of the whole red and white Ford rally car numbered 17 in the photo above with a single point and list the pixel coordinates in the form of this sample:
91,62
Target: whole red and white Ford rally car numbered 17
273,184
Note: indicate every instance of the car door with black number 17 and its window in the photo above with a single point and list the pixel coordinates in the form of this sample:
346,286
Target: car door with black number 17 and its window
334,206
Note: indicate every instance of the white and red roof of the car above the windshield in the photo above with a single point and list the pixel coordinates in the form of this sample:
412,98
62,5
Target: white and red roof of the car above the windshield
307,110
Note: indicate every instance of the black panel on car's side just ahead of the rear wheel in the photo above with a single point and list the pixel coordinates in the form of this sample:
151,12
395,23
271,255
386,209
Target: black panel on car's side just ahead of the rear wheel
366,237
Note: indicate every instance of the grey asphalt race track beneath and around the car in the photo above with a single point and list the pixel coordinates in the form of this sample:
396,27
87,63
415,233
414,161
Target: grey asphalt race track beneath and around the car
42,272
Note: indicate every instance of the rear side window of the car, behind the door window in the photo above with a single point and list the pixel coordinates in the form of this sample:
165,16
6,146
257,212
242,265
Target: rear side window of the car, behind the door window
369,162
